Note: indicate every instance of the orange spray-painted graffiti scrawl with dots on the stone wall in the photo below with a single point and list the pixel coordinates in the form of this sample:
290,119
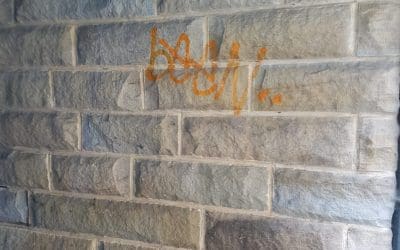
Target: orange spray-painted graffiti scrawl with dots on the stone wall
173,57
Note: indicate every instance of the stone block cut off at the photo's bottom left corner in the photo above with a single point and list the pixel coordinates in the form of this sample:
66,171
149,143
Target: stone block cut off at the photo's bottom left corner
20,239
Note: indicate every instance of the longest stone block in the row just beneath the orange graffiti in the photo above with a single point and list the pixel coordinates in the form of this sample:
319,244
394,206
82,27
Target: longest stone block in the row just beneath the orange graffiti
301,140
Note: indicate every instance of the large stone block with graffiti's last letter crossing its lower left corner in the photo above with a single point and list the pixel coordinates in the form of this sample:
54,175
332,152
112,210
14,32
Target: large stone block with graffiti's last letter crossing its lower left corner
309,32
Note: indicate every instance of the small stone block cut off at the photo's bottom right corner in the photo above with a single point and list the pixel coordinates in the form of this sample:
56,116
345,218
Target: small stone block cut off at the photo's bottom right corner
369,239
